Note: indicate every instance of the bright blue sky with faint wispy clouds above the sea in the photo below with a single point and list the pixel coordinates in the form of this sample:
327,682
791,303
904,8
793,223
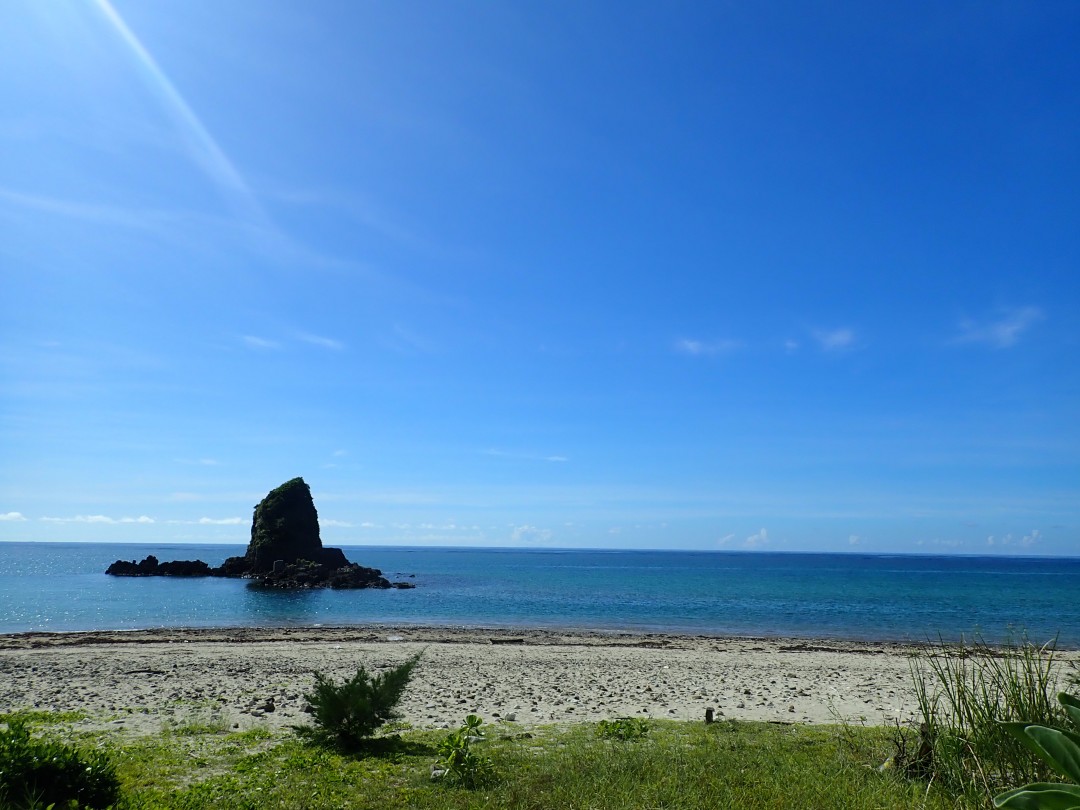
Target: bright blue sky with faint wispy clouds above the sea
786,276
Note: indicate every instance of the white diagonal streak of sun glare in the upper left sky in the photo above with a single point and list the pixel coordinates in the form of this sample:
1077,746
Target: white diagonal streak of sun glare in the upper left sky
202,147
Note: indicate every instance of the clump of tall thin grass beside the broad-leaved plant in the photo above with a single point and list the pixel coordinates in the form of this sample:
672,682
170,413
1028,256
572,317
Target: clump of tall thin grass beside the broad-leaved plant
966,694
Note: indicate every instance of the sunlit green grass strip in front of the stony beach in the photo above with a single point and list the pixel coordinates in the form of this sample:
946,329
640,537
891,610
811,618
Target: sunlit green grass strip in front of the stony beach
677,765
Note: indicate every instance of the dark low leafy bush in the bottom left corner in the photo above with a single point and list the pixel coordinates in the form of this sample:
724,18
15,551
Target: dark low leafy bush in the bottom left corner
42,772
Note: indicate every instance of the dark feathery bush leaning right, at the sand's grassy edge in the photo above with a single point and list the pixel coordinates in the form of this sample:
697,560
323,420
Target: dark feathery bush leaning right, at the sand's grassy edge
346,715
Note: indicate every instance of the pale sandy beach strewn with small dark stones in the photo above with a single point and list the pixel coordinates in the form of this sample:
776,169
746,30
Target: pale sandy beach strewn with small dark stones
144,682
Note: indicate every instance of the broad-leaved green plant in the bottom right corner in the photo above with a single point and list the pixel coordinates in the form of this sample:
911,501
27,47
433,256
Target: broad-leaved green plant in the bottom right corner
1061,750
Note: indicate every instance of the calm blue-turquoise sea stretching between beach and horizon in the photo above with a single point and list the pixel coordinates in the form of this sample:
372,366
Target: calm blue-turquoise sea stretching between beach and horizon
62,588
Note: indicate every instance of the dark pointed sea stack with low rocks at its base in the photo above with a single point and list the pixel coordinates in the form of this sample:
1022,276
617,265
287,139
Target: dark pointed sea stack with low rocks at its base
286,551
